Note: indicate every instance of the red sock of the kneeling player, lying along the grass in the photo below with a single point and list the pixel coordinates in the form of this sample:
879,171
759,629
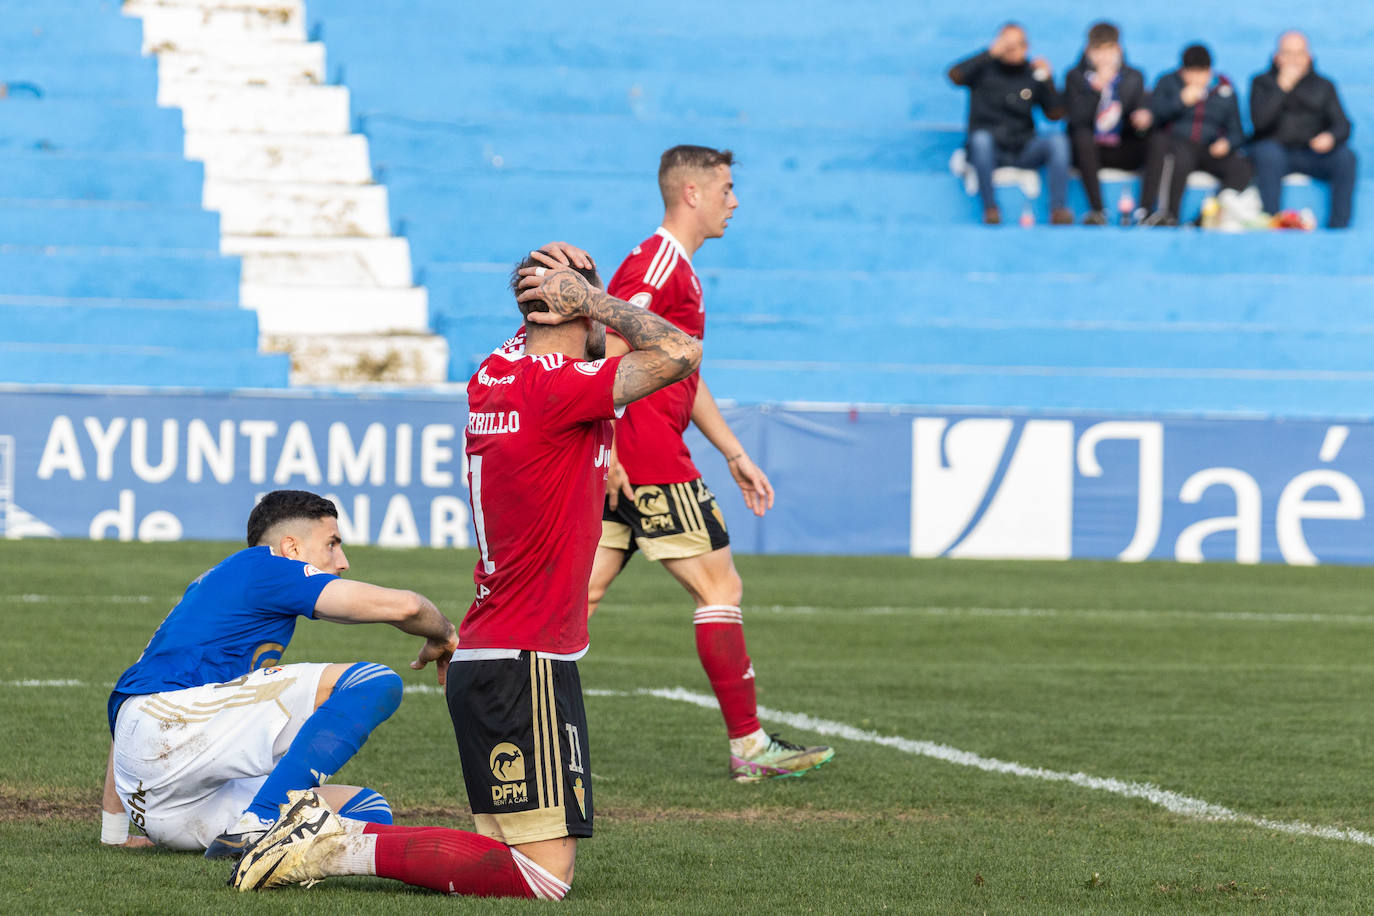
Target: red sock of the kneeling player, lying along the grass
453,862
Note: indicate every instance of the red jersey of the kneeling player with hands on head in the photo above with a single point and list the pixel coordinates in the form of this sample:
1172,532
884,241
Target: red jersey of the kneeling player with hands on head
538,453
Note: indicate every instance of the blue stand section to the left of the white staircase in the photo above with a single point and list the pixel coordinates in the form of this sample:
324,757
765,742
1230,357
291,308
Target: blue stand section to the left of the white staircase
111,270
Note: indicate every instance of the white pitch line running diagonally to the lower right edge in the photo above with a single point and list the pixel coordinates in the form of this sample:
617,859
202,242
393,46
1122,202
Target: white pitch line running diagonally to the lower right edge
1175,803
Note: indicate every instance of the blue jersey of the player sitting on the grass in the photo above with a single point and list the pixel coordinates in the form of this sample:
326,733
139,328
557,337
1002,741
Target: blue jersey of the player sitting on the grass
233,620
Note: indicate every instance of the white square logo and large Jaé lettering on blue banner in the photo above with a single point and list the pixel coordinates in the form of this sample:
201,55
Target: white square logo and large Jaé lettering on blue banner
1006,488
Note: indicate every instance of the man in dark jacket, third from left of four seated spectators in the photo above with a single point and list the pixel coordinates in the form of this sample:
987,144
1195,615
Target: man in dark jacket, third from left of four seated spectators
1199,120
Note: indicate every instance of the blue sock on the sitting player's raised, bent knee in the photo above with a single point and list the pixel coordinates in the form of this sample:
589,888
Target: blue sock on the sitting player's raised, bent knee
363,698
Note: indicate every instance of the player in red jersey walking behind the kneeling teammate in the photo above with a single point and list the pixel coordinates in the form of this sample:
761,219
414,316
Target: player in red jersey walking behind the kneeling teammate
656,499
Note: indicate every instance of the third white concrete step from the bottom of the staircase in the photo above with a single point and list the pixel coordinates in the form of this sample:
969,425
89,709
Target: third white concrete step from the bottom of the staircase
363,263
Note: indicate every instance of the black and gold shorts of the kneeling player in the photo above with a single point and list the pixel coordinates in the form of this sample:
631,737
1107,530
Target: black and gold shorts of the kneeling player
521,731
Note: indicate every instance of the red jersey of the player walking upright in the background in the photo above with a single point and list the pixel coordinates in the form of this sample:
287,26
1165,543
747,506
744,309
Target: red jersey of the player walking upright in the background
649,440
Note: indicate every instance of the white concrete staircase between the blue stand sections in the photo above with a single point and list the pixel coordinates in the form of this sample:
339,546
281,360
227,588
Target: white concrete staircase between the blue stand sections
295,190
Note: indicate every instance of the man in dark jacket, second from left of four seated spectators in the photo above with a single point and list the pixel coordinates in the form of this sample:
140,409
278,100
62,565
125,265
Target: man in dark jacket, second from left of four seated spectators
1110,115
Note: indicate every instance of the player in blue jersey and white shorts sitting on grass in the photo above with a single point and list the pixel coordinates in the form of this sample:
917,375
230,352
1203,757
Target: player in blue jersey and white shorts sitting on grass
211,731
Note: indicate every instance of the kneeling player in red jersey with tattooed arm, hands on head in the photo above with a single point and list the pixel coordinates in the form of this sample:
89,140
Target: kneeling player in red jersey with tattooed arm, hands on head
539,442
